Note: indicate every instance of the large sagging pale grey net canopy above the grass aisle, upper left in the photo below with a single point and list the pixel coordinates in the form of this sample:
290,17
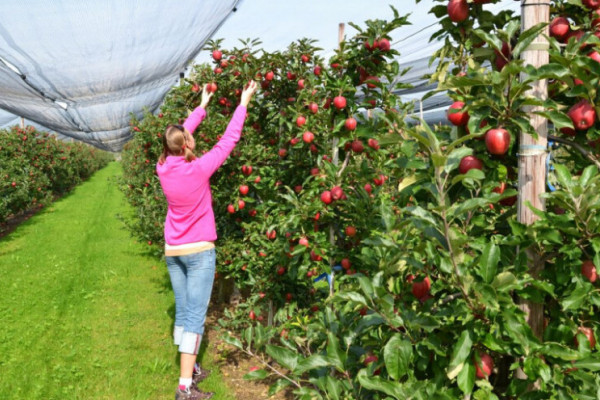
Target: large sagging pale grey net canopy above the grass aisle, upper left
81,68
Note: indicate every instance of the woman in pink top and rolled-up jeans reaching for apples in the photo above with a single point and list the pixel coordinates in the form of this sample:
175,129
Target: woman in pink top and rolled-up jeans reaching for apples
190,230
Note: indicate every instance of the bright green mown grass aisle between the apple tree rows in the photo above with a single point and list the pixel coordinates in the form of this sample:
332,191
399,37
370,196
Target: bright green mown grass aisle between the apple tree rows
84,314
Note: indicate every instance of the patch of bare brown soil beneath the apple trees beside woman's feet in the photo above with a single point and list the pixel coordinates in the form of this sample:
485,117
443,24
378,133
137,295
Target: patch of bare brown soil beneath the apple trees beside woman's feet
234,364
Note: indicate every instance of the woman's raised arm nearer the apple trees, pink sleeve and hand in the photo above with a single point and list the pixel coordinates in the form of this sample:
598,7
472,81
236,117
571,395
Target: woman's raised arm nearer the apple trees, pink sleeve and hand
212,160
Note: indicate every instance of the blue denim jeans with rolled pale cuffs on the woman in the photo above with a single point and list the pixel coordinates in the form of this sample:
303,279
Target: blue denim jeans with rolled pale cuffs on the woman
192,279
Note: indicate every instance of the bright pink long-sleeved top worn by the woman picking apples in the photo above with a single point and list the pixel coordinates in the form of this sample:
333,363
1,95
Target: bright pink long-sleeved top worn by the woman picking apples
186,186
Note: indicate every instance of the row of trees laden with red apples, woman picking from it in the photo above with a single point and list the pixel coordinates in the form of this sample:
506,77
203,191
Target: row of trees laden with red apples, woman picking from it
378,258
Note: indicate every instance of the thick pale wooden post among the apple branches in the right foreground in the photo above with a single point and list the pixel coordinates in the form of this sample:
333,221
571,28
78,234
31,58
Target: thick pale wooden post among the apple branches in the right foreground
532,153
